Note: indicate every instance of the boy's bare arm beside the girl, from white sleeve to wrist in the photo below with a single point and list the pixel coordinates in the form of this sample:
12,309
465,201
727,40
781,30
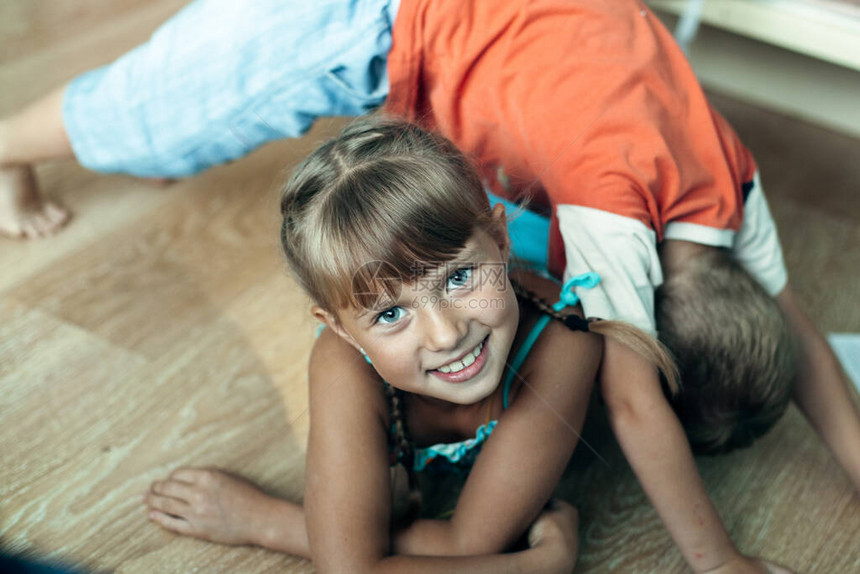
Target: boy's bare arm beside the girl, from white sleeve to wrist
656,447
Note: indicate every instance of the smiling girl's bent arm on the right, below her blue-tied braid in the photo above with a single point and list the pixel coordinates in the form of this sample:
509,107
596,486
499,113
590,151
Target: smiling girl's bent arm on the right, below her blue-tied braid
524,458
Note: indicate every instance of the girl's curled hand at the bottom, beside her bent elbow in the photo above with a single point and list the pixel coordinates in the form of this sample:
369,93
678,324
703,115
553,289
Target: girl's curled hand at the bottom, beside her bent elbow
555,530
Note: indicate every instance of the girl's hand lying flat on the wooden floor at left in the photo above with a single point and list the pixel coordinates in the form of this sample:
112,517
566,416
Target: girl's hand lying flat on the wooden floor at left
208,504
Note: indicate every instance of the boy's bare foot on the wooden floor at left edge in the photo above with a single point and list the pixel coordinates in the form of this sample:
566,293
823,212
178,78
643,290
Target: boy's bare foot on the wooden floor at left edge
23,212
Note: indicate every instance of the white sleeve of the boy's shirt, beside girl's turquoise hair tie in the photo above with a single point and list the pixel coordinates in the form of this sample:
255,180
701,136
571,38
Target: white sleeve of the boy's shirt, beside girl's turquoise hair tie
623,251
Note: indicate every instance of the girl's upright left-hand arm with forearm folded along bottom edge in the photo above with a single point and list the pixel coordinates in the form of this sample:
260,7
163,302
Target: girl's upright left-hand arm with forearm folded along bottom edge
348,504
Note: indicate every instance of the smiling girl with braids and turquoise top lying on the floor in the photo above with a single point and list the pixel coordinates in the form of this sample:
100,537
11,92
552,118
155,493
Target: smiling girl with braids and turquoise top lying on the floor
390,232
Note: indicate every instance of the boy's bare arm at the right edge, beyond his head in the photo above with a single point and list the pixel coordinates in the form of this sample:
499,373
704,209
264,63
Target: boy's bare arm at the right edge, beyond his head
822,392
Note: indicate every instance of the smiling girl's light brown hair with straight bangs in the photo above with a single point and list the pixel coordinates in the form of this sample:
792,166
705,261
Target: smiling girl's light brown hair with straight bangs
384,191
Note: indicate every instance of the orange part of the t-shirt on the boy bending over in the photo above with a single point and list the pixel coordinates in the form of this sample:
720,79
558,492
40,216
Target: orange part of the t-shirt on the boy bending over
582,102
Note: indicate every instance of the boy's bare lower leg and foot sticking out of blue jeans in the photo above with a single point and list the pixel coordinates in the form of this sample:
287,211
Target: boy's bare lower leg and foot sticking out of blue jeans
35,134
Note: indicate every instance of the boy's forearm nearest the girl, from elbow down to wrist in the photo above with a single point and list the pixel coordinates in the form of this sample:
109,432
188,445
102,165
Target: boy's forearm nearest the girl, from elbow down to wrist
656,447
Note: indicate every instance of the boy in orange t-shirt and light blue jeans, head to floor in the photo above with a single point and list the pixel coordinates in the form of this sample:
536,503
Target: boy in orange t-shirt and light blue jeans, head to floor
588,107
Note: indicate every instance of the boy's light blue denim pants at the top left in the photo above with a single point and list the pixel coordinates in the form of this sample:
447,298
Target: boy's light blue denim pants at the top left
221,78
